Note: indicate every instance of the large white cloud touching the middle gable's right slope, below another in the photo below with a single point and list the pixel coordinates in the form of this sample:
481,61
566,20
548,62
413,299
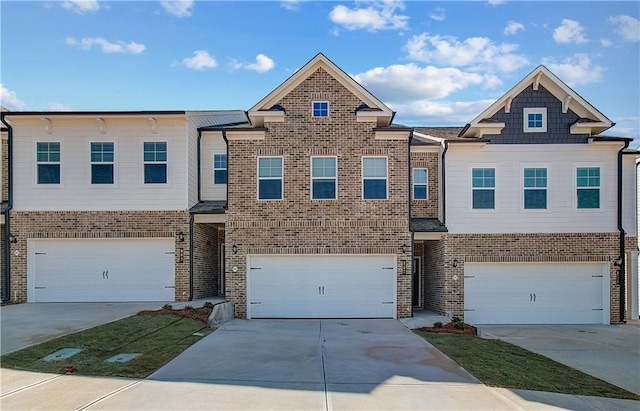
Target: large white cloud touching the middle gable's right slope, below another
403,83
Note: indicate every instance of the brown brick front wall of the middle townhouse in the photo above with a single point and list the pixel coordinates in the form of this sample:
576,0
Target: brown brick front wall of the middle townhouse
299,225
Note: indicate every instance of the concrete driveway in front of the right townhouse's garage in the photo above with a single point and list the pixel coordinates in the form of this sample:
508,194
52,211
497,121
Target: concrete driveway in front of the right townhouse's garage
608,352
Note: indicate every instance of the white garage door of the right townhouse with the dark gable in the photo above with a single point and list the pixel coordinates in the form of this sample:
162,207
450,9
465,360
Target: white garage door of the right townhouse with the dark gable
535,293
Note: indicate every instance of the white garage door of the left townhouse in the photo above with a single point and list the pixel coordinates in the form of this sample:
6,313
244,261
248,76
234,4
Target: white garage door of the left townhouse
101,270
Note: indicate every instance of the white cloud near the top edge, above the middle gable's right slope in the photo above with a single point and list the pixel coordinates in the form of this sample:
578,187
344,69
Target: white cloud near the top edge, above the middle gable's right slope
377,16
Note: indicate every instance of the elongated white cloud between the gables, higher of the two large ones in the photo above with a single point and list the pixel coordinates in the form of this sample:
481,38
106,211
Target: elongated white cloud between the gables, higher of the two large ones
478,53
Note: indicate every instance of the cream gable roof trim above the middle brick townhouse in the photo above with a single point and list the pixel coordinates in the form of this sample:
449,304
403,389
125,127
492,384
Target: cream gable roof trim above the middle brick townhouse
374,107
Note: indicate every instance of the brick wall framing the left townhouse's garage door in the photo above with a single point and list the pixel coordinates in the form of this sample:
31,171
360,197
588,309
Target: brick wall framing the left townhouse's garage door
111,224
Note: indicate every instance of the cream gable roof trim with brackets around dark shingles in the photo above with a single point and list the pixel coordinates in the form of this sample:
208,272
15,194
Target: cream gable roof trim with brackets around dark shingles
591,121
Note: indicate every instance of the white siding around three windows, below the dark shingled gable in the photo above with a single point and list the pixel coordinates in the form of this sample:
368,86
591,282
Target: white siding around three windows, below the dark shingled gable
509,216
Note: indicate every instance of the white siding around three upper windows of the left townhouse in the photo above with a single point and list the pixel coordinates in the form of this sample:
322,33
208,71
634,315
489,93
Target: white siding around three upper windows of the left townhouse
76,193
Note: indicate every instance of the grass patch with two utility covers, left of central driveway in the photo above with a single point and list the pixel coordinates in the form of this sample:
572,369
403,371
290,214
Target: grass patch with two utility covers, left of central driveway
159,338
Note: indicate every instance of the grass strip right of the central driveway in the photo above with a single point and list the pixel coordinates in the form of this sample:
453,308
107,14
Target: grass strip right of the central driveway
500,364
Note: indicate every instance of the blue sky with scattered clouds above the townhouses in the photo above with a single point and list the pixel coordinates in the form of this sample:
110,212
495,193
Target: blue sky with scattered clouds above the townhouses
434,63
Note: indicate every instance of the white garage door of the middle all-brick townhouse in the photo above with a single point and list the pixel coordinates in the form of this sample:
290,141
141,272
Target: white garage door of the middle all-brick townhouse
321,286
